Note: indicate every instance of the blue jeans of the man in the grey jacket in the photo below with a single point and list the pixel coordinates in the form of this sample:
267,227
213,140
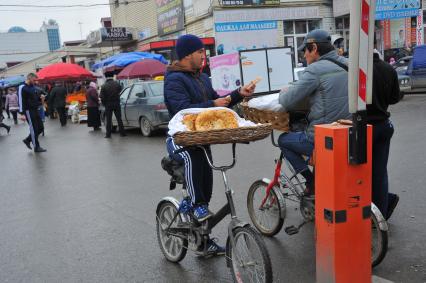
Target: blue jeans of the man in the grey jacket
293,146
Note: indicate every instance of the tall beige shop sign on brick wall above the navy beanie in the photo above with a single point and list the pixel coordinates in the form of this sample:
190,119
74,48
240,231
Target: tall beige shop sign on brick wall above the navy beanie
170,16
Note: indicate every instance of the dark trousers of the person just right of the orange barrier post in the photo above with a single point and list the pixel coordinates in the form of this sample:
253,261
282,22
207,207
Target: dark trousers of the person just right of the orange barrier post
382,134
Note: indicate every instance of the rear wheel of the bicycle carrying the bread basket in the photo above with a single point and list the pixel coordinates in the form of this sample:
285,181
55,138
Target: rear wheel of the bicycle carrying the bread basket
173,247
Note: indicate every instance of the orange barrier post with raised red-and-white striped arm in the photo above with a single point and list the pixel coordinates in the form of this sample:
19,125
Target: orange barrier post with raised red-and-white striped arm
343,168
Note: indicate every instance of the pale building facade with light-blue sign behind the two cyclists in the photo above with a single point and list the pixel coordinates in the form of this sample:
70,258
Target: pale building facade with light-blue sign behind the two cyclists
231,24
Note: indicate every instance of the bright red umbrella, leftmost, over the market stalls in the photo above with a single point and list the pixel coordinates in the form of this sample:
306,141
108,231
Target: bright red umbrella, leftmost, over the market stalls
64,71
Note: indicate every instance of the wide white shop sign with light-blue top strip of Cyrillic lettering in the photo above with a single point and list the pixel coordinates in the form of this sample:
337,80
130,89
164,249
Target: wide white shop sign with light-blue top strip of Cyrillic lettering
236,36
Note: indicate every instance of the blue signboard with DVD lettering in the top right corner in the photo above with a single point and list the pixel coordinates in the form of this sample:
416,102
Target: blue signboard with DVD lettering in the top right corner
394,9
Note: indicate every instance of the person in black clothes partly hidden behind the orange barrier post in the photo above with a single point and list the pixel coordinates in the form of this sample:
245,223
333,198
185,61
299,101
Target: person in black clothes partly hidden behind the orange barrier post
385,92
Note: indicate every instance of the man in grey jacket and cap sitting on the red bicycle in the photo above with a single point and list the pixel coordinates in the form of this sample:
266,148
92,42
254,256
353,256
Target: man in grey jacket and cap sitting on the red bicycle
324,85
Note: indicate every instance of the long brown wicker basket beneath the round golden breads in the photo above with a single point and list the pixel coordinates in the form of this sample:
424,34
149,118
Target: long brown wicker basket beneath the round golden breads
238,135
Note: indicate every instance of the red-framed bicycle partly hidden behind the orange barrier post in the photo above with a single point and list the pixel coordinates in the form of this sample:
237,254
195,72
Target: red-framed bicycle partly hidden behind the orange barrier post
266,203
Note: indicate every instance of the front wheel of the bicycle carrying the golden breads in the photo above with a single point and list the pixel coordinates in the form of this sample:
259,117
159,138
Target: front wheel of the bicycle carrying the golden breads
249,257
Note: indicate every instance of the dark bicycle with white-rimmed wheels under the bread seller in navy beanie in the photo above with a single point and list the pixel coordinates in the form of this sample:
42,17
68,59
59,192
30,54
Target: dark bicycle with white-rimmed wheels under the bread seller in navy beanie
178,230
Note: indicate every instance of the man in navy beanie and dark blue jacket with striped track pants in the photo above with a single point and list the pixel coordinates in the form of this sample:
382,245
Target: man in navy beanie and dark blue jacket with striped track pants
186,87
